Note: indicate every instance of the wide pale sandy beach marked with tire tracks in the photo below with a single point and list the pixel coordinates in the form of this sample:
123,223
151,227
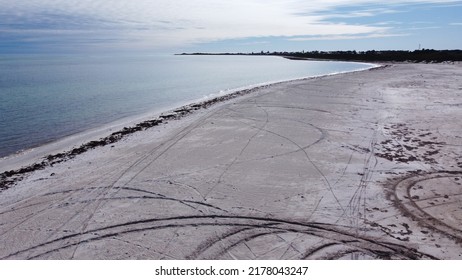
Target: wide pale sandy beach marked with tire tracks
364,165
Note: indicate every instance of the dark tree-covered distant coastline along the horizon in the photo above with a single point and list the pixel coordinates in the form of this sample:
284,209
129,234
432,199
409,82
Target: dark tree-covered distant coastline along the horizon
424,55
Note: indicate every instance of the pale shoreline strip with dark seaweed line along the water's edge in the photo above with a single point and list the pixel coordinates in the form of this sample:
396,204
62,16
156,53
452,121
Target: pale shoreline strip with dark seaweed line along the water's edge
19,164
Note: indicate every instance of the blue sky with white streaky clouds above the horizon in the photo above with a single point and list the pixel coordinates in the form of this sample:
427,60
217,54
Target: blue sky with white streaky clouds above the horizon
171,26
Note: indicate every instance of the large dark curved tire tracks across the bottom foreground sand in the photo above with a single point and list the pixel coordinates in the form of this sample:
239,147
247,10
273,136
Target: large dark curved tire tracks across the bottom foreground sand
246,228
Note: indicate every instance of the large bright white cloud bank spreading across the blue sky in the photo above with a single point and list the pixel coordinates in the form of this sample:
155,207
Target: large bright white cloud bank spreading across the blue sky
170,23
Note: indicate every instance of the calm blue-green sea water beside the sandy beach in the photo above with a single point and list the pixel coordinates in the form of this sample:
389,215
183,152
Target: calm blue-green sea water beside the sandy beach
44,98
